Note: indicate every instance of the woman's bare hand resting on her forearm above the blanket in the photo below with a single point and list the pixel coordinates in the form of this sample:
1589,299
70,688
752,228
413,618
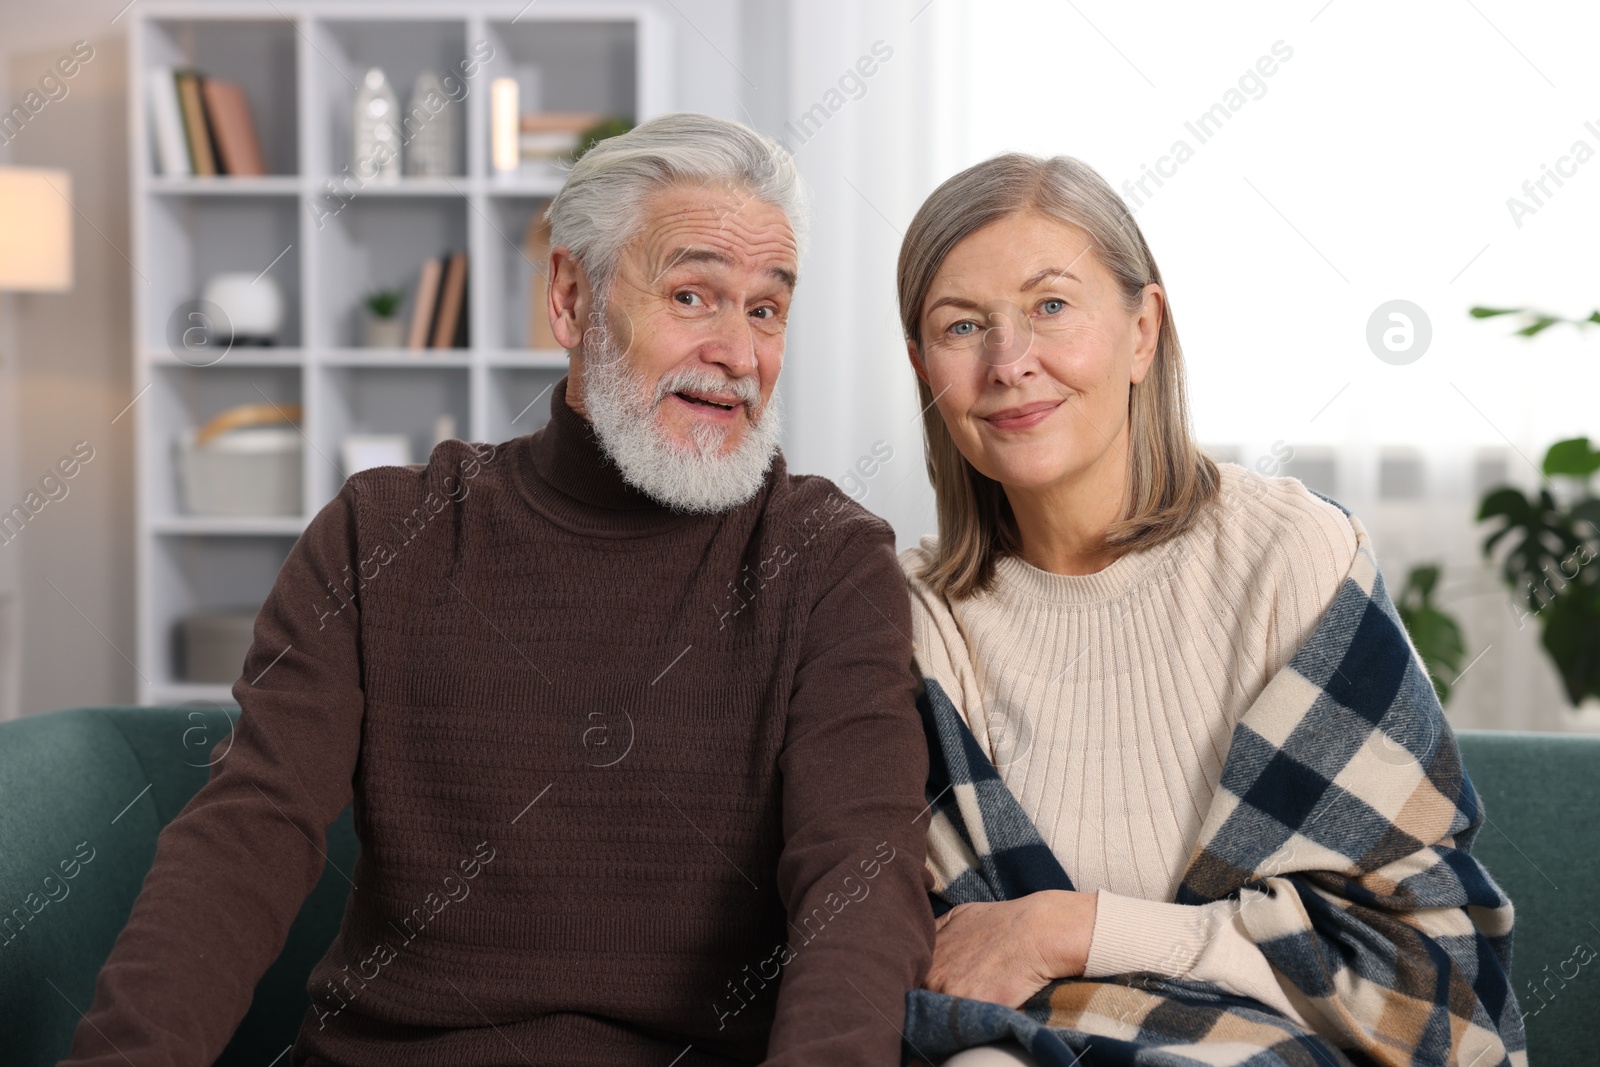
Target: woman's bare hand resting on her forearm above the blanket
1009,951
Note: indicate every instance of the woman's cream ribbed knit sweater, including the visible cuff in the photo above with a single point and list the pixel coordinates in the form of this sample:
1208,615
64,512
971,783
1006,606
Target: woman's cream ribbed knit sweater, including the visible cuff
1108,703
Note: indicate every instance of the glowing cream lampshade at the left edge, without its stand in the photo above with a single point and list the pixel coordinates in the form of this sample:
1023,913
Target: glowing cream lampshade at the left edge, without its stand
36,230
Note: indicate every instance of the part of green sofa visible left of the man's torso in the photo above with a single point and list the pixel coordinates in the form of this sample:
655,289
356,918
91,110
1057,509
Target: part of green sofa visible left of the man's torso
84,794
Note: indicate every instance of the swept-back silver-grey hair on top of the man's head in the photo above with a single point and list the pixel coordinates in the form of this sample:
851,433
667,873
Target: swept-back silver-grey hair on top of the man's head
598,210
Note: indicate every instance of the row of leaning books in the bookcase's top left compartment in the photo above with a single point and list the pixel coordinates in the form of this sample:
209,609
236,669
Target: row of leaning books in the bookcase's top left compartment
202,126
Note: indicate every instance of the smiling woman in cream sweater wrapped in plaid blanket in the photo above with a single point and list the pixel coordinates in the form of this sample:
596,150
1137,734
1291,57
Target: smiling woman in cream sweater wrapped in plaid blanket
1114,620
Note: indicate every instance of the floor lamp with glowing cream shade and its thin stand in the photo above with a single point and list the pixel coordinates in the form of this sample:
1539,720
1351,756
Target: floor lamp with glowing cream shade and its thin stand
36,257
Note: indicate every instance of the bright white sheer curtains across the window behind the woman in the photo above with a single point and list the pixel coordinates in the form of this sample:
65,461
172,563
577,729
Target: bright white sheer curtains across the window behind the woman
1295,169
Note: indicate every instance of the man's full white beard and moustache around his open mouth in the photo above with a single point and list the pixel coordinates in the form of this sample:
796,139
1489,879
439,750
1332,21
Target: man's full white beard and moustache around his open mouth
626,417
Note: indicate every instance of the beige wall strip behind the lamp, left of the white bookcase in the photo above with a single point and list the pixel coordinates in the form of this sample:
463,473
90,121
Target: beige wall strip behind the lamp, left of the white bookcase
70,378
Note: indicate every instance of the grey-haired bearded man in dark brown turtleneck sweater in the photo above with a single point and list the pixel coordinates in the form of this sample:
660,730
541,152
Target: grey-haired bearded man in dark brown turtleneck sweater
626,711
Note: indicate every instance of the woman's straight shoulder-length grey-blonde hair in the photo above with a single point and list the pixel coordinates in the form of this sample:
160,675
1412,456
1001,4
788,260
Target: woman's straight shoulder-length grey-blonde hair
1170,479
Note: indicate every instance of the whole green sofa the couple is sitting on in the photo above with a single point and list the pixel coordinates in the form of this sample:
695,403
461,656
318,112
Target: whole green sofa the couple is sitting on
87,791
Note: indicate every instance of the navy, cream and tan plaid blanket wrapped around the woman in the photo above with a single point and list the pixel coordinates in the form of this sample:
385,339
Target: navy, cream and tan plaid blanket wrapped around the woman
1343,823
